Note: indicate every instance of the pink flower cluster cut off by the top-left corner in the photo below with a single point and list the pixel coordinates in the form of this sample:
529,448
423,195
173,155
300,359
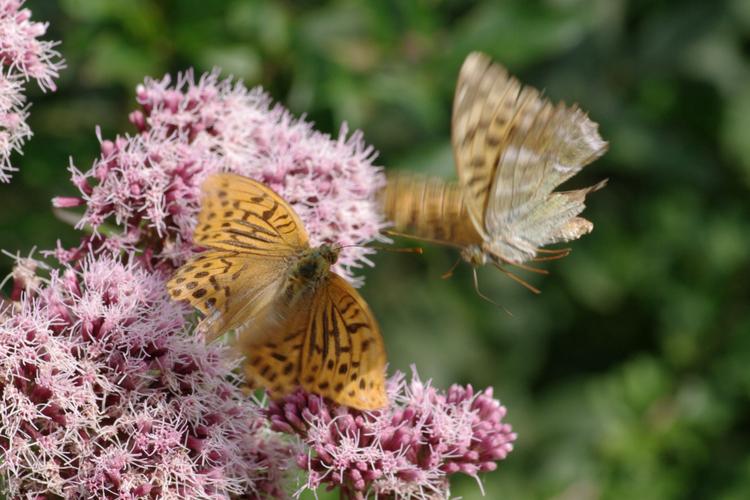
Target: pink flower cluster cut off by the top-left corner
22,57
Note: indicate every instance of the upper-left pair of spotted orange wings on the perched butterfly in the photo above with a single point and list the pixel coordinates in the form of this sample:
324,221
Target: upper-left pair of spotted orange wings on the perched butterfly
250,232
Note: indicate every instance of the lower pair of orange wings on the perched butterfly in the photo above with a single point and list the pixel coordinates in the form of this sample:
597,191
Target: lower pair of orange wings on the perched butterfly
331,347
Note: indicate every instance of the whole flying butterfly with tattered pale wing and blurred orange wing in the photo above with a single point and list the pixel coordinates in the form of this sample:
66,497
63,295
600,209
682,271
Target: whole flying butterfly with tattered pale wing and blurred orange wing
512,147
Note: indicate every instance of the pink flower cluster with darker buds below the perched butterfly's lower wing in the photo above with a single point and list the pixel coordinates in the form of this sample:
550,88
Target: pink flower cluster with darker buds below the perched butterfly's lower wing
407,450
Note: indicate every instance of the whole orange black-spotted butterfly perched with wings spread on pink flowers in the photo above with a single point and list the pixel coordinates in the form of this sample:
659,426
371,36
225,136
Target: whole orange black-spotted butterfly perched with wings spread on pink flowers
297,323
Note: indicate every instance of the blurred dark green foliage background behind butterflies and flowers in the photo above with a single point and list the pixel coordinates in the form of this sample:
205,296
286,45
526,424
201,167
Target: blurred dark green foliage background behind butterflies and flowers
629,376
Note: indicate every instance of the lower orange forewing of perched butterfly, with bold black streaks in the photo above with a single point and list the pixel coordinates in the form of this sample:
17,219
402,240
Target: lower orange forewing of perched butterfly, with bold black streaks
343,356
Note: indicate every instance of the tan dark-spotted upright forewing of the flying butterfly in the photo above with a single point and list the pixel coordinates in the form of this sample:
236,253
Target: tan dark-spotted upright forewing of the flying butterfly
484,105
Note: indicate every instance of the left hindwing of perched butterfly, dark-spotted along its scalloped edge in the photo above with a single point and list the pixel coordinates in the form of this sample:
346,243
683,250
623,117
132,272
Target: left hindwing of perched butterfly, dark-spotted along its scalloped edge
234,291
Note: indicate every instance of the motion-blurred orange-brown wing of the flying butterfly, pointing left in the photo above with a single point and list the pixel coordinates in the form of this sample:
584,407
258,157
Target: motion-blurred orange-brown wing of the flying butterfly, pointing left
428,208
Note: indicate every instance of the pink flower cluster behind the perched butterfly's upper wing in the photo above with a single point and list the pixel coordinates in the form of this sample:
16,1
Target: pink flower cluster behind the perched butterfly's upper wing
149,183
